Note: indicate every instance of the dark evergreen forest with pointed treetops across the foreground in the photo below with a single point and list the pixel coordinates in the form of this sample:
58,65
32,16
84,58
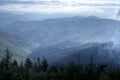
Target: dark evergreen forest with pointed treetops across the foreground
39,69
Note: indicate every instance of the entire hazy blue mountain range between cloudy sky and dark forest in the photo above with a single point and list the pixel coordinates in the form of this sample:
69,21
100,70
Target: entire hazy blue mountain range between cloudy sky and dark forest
61,39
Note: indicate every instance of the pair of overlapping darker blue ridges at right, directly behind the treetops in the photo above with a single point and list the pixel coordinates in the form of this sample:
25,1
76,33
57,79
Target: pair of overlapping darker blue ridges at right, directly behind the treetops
102,53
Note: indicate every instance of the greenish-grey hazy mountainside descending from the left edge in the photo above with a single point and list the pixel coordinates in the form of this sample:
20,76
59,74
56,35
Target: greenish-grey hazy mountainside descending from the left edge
18,47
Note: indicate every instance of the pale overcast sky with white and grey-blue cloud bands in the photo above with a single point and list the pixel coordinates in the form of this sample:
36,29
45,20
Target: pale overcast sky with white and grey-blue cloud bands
82,7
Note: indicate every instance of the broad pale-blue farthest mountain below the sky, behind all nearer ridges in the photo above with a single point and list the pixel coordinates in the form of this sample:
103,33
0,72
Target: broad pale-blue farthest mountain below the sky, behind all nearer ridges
52,31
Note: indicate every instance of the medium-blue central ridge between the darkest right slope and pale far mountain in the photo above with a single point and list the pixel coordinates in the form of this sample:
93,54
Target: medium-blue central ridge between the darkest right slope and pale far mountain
55,52
